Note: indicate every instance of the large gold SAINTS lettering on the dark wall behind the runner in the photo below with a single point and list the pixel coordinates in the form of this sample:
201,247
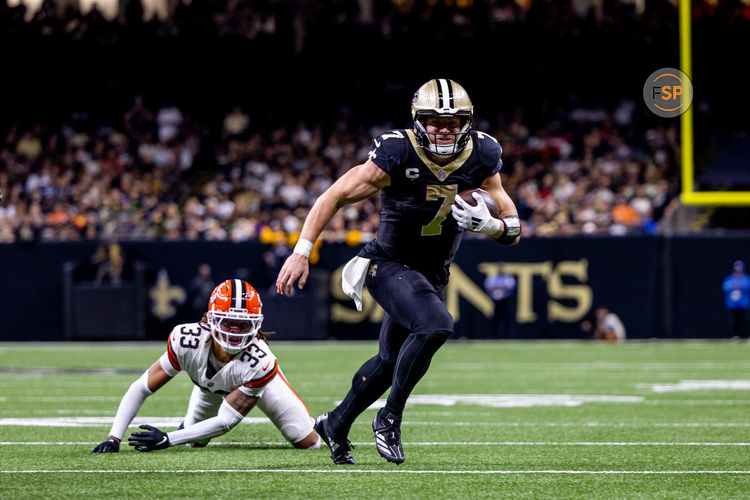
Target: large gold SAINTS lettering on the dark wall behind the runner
461,286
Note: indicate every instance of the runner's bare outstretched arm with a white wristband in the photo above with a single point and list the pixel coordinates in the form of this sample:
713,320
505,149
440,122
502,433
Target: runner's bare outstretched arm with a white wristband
355,185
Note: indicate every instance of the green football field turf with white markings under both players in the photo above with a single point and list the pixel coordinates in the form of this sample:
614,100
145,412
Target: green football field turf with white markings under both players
490,419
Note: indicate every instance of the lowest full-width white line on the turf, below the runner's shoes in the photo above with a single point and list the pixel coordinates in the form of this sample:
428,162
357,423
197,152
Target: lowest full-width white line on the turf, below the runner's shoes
365,471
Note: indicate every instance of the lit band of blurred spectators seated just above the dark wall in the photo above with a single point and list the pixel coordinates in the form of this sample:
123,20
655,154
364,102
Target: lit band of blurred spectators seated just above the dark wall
150,177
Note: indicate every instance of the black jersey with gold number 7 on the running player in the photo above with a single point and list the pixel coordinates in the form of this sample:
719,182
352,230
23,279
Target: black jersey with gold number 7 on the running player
416,225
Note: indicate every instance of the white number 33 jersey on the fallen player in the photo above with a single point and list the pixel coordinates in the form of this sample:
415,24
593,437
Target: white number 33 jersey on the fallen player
189,349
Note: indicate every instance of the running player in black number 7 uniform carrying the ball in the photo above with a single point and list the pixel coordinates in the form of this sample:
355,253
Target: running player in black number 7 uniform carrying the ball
419,171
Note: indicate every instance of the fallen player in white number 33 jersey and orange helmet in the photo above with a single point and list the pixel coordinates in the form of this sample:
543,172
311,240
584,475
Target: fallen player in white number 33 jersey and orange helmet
233,370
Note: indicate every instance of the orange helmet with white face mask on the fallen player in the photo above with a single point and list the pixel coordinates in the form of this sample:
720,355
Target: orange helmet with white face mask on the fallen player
235,314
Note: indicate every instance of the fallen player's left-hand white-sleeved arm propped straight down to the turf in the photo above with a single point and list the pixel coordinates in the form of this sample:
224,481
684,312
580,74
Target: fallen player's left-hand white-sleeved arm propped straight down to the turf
148,383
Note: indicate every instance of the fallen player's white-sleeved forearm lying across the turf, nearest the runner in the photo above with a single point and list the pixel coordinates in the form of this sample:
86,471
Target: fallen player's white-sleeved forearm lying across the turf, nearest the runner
234,407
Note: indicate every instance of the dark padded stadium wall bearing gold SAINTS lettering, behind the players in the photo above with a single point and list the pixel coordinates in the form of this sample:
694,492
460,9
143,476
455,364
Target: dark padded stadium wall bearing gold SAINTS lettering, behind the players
660,287
